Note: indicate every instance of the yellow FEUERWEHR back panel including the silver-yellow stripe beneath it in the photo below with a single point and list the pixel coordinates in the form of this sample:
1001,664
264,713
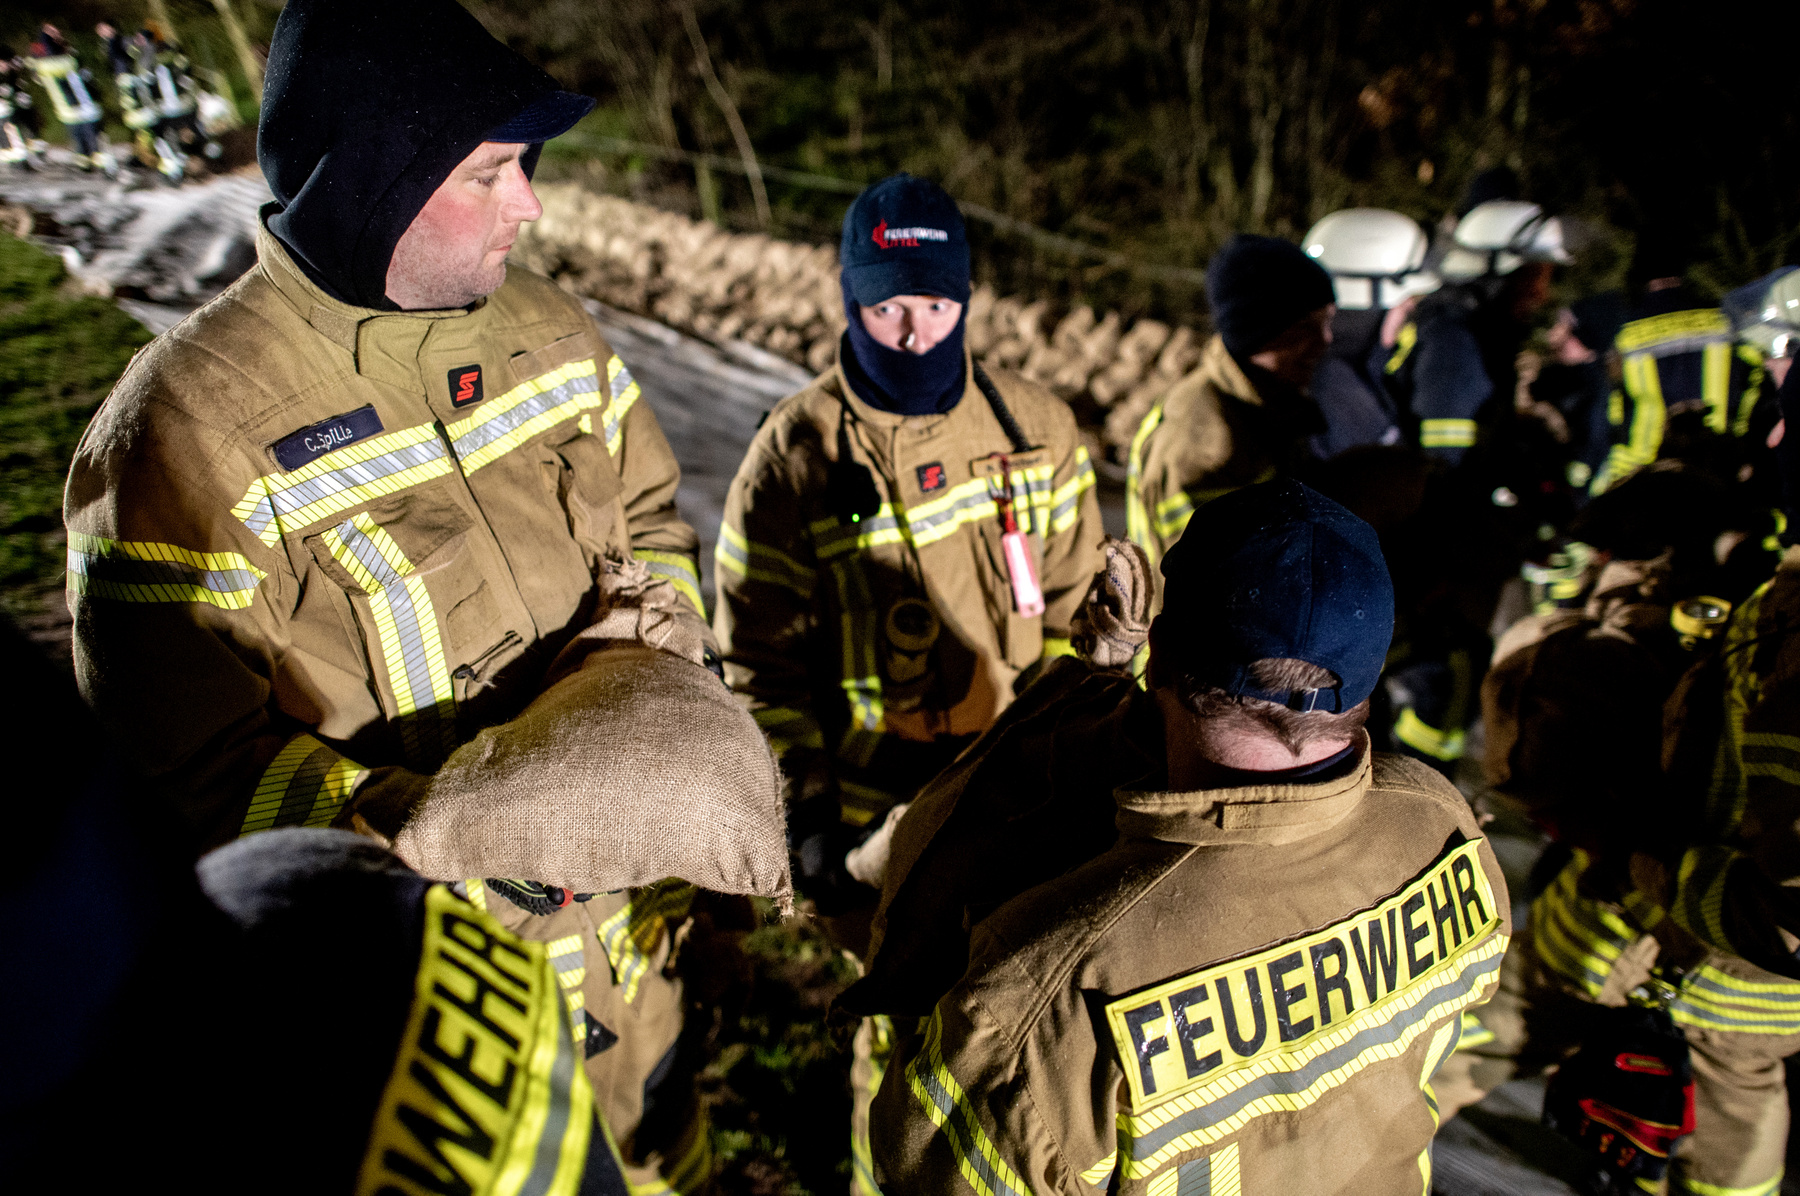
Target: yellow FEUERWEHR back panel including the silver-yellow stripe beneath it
1275,1031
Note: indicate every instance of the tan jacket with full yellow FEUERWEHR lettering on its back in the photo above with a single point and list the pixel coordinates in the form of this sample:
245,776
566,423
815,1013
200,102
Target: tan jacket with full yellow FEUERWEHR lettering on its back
1248,993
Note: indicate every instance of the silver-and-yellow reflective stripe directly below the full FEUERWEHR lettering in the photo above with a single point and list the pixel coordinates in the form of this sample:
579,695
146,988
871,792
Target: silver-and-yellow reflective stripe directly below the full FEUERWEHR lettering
1299,1080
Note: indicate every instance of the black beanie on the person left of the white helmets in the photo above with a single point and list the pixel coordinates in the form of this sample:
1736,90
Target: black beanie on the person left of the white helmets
1257,287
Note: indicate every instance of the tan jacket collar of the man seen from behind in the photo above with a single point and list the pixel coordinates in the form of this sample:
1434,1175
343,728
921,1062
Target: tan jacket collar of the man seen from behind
1266,815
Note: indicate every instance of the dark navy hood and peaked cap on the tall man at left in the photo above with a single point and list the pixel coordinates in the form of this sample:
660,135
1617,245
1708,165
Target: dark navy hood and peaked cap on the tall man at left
368,107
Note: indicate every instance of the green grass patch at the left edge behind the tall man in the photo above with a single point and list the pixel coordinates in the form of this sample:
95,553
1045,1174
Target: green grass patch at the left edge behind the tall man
60,354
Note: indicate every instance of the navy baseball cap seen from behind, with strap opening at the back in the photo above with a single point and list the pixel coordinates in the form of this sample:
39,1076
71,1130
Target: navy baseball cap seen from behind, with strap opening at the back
1279,572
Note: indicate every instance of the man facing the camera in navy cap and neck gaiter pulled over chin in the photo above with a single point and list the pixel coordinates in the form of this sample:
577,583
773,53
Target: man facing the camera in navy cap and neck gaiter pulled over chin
906,538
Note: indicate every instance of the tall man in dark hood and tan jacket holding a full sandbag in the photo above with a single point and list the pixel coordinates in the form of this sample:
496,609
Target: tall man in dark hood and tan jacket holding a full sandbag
345,516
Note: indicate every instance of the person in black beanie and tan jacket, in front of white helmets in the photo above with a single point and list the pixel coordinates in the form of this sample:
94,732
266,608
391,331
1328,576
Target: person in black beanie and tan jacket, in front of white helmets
1243,415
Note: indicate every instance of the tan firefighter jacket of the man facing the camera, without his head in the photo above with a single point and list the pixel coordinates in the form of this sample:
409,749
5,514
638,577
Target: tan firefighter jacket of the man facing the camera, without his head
805,595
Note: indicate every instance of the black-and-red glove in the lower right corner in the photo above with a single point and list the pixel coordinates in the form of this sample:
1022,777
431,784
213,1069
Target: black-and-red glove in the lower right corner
1626,1098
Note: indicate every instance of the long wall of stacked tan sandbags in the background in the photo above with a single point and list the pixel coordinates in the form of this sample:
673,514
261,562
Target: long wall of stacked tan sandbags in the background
786,300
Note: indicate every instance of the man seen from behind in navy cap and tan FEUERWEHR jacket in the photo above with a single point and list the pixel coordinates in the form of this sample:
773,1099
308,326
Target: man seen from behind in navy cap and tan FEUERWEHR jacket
1252,988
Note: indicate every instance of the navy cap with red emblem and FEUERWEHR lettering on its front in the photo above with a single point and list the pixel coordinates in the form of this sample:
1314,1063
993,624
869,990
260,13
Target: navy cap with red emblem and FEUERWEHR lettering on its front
904,237
